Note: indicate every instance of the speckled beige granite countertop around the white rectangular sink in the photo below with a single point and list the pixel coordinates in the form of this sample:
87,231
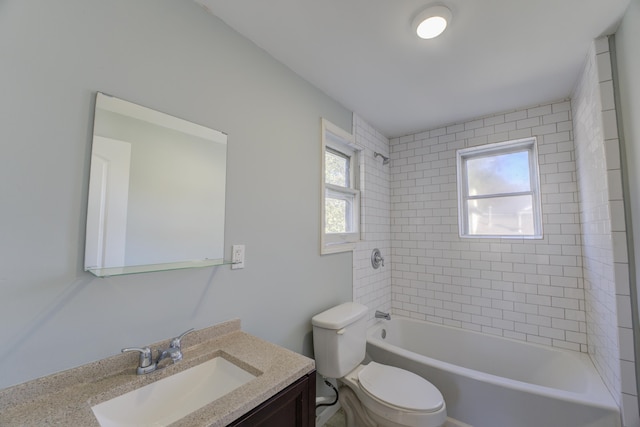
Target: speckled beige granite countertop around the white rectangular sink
66,398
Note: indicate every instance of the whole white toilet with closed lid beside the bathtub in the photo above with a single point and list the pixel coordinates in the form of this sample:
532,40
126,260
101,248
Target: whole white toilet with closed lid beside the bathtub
372,394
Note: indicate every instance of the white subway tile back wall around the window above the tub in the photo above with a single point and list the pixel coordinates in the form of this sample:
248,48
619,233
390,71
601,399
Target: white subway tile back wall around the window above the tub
530,290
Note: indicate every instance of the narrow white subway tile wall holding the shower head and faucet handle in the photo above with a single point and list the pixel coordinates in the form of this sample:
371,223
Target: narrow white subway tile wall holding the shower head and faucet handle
372,287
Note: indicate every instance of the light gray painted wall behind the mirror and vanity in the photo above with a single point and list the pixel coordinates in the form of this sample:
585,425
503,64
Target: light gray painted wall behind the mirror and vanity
176,58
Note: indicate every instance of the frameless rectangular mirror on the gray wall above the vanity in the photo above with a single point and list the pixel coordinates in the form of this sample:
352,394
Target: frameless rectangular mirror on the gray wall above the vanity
156,191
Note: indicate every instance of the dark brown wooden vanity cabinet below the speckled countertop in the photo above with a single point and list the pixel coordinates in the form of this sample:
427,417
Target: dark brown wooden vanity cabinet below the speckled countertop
292,407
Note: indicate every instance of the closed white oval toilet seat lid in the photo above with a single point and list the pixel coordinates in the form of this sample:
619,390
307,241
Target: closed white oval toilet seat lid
399,388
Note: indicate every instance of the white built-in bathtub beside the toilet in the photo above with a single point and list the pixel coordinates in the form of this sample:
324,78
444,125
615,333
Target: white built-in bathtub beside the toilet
490,381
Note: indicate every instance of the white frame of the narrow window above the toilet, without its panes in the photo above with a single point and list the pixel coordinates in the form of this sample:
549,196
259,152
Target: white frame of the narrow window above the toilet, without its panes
337,140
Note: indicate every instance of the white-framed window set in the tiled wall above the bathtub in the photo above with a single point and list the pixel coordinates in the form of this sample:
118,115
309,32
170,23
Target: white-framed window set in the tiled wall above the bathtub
498,190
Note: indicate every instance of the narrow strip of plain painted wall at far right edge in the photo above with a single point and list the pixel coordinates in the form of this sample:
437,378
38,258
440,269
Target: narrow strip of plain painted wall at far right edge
628,67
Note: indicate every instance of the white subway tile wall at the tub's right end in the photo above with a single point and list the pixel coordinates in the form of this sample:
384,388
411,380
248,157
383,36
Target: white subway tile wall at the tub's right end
606,278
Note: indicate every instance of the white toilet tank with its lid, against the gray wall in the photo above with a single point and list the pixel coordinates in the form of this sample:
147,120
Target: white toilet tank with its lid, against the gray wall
340,339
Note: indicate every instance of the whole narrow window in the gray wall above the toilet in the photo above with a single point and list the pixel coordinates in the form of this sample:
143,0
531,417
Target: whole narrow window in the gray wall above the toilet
340,195
